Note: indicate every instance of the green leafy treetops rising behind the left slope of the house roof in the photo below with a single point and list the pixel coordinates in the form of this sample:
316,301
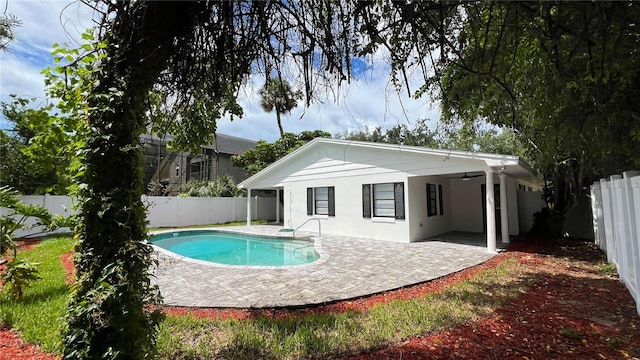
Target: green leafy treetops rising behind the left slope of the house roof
265,153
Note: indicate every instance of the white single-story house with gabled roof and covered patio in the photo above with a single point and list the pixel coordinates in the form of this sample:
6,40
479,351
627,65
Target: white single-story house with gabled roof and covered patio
397,193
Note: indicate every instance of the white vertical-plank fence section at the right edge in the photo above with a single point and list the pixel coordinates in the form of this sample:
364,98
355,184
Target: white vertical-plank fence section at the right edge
615,208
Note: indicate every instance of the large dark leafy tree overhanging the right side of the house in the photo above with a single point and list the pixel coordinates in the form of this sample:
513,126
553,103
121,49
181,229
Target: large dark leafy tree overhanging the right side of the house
561,76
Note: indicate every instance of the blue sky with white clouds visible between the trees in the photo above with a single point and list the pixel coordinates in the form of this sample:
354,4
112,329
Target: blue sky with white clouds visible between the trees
368,101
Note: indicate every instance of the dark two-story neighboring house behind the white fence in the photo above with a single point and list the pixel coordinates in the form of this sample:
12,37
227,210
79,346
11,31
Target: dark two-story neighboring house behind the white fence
173,169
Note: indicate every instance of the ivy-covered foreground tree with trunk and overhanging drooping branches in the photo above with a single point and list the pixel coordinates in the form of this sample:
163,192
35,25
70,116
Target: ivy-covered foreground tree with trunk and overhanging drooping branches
196,55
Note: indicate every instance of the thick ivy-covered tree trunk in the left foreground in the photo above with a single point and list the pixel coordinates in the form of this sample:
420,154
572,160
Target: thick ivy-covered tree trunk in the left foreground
107,316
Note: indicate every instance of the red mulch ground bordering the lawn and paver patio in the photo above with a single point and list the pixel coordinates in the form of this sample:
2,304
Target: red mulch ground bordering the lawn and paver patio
571,313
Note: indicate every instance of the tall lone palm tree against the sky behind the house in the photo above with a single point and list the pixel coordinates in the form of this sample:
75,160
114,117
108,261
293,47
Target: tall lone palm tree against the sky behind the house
278,95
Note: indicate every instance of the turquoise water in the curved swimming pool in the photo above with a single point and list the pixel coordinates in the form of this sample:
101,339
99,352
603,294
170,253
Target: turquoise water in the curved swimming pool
237,249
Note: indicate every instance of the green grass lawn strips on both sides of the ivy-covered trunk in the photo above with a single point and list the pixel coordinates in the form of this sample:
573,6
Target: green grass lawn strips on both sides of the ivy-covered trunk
38,316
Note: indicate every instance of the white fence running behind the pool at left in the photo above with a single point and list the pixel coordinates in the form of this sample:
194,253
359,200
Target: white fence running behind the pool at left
166,211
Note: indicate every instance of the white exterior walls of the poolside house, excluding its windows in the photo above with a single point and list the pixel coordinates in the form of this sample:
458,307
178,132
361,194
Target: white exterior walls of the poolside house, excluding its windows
347,167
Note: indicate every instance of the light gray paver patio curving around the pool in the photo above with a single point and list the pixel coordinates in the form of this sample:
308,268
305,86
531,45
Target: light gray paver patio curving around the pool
349,267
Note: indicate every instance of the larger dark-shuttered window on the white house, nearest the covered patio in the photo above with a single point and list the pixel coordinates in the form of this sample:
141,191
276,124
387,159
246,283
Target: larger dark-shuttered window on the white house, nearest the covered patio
383,200
